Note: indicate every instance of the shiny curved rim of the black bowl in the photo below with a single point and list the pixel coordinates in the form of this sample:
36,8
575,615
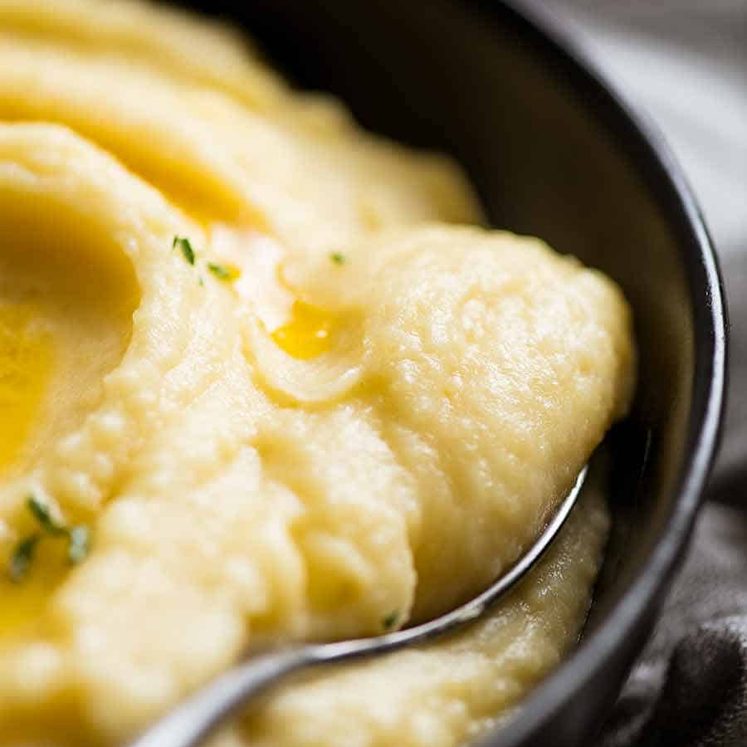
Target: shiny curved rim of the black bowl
643,142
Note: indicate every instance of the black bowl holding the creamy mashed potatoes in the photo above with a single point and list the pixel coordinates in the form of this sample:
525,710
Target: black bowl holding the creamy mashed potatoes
555,152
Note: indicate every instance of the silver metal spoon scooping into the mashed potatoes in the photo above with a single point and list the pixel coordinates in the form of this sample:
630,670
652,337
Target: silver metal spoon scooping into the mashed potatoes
200,714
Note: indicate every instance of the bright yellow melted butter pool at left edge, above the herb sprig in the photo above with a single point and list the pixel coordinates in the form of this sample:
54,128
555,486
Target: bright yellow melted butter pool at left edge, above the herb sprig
25,366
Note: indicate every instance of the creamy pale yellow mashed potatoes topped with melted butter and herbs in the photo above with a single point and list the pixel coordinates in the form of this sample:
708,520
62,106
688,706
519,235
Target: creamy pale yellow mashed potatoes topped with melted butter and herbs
257,385
